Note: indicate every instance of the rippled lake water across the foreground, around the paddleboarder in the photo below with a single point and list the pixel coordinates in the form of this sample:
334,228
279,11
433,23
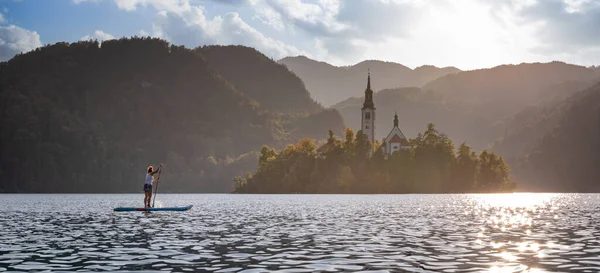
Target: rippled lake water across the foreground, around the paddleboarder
302,233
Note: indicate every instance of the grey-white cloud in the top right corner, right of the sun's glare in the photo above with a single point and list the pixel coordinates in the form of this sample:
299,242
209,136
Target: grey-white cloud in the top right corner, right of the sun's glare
562,29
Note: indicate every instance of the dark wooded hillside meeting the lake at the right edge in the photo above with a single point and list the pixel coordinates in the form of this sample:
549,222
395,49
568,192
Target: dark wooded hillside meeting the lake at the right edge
566,159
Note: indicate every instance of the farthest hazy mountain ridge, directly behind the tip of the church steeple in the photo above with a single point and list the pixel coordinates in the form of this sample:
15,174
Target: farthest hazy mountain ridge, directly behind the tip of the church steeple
330,84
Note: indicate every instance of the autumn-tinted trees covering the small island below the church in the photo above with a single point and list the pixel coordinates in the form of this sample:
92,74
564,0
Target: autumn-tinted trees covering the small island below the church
432,165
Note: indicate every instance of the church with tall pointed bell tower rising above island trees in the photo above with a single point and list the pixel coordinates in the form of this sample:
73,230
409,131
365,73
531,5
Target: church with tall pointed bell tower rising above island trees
395,140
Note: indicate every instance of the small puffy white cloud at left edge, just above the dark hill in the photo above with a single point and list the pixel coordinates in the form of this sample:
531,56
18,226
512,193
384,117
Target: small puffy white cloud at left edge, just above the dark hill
15,40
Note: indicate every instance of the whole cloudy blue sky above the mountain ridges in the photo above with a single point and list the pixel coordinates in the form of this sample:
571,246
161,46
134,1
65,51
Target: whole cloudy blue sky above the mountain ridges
467,34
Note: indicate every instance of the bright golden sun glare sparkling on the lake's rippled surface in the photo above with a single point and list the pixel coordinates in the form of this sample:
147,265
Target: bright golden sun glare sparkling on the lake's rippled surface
509,228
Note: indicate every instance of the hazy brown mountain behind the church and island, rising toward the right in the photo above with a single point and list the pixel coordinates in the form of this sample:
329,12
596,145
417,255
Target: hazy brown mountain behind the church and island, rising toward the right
474,106
